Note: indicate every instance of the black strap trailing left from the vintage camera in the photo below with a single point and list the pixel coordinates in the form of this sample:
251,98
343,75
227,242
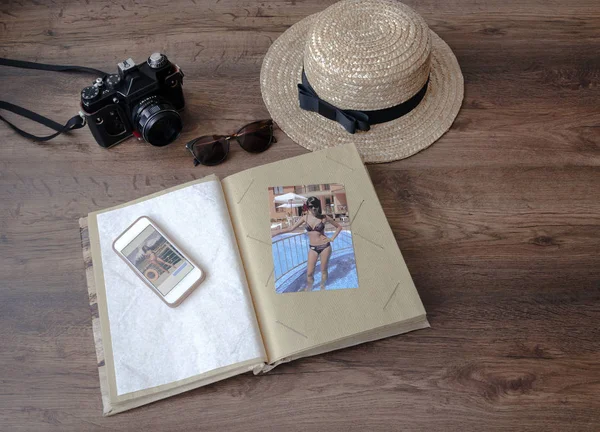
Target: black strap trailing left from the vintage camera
75,122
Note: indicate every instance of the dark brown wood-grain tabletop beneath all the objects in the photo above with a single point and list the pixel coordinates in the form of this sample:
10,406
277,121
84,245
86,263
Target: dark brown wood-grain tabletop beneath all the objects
499,222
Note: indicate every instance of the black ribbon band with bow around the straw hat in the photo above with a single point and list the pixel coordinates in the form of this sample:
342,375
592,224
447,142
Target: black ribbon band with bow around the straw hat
353,120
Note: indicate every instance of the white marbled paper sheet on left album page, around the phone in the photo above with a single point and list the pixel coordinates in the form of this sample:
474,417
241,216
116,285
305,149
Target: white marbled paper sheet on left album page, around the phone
215,327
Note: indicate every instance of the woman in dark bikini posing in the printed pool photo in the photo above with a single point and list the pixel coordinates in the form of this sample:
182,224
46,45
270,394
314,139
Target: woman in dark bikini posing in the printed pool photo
319,244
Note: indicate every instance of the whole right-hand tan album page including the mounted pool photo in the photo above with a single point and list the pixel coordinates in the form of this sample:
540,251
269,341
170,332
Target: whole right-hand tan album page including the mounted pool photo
321,261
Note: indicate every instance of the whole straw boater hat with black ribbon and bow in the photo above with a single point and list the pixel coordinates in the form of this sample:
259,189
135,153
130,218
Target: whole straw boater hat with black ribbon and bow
363,55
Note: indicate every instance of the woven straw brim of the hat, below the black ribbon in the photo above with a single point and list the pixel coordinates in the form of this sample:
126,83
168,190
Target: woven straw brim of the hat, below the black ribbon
397,139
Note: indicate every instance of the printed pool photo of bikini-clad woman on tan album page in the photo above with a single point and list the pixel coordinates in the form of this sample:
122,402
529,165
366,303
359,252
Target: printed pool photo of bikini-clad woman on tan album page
311,238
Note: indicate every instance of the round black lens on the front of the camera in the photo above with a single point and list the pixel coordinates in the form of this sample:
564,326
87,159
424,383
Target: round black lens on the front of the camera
158,122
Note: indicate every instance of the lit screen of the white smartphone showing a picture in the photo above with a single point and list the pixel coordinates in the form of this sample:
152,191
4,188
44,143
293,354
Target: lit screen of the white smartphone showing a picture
157,260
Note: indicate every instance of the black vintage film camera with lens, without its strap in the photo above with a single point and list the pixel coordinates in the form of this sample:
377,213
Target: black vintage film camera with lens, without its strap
141,100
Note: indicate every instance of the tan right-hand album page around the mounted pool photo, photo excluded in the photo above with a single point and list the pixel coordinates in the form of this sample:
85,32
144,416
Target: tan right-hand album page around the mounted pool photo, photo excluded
300,321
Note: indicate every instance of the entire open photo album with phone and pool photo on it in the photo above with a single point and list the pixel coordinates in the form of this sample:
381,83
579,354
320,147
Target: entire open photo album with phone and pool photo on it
216,278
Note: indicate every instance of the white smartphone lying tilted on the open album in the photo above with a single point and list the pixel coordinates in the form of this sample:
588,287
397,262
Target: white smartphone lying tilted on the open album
156,260
